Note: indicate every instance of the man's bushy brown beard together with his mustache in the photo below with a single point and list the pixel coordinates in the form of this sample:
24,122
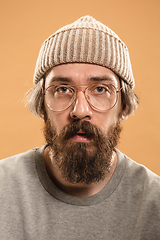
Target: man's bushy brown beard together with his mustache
82,162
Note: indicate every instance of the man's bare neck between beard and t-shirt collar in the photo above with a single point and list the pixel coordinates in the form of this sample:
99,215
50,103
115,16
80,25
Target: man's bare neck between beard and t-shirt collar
77,189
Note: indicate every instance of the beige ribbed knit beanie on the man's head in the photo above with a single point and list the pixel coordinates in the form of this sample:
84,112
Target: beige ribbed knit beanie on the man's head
85,41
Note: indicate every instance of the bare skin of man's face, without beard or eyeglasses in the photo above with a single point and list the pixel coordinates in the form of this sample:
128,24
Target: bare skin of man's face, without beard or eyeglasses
82,75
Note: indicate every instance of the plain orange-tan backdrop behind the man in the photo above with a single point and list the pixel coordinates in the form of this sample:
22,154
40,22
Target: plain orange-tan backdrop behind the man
26,24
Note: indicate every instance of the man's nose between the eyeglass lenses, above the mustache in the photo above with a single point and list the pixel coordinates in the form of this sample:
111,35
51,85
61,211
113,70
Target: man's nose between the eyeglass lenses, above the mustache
81,108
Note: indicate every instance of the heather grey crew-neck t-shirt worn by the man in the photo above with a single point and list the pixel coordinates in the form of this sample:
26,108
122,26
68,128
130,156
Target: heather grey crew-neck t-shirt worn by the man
32,207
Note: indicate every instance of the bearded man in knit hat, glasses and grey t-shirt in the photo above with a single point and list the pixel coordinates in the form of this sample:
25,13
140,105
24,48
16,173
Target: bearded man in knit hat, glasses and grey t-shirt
79,186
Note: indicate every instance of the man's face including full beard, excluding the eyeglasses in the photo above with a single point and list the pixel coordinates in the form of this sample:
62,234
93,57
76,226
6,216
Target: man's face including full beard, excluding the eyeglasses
82,138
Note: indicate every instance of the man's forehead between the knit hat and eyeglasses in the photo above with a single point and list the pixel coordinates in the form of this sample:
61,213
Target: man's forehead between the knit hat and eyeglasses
80,74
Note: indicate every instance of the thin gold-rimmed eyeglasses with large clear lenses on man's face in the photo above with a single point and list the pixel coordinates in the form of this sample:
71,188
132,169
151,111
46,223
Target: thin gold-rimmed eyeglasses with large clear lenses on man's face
101,97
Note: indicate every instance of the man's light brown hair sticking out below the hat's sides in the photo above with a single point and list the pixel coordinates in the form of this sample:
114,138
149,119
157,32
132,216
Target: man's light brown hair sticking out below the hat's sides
35,98
